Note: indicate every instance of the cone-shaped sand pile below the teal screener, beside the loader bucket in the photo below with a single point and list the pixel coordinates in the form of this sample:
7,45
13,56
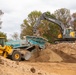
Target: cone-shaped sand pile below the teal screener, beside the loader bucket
45,55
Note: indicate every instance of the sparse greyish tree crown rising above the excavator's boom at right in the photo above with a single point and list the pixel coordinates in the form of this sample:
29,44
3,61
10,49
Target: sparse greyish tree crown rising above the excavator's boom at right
63,15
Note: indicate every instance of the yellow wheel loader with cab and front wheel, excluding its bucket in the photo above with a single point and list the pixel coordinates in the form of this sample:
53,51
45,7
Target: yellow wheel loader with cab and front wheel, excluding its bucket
8,51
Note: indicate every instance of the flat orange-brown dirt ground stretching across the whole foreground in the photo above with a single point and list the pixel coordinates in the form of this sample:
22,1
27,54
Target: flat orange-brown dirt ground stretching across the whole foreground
9,67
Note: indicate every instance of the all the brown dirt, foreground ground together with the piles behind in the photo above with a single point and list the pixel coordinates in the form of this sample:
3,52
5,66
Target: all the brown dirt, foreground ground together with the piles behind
59,59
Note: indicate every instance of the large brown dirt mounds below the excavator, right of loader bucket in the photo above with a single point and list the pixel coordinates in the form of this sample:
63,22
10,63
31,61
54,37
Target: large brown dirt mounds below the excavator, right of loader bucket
63,52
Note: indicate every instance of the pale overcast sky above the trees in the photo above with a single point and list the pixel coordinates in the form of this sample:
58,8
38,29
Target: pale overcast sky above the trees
15,11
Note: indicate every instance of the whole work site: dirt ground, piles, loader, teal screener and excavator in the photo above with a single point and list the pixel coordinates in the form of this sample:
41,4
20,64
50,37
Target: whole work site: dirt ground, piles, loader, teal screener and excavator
36,56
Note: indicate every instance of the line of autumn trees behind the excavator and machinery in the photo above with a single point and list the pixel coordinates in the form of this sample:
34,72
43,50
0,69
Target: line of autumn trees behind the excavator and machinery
46,29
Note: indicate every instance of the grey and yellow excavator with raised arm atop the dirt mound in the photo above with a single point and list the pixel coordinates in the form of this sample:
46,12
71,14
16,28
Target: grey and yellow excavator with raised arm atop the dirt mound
67,33
